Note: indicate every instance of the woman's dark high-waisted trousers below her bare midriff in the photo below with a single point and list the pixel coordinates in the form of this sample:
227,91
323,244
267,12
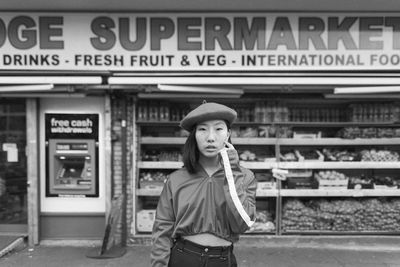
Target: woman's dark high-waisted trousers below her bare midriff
185,253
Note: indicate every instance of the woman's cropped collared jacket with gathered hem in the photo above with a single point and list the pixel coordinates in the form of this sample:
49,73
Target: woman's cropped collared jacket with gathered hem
197,203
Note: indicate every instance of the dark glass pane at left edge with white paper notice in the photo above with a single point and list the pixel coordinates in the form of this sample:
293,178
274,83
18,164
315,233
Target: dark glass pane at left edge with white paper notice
13,164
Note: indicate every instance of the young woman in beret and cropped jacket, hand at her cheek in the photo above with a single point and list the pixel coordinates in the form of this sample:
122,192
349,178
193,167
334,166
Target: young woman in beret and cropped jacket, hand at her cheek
210,201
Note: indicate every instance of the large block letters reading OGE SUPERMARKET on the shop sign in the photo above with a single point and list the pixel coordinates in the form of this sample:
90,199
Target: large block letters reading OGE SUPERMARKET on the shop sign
133,33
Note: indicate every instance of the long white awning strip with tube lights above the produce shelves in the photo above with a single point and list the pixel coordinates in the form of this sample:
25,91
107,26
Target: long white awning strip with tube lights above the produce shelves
332,86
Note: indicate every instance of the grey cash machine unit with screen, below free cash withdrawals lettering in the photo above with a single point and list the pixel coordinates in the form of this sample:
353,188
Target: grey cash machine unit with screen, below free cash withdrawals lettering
72,167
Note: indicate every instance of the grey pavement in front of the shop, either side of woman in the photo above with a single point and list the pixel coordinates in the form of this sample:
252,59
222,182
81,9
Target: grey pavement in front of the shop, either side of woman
289,252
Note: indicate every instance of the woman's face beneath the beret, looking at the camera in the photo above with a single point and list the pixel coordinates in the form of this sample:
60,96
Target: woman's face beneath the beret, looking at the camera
211,136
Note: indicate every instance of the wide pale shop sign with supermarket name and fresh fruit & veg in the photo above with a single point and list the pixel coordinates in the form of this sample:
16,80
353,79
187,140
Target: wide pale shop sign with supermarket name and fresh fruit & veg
246,42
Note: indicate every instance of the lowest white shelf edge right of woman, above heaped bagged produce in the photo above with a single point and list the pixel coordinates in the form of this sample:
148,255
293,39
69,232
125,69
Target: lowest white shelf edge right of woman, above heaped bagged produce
339,192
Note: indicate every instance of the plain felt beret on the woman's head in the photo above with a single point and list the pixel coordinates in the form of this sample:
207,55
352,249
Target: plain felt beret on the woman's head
208,111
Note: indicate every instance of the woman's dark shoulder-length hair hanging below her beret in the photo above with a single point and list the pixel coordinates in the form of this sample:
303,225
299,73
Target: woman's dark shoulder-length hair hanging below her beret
191,152
